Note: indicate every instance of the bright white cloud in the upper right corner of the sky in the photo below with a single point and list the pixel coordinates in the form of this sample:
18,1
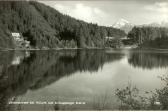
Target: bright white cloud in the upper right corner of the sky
161,8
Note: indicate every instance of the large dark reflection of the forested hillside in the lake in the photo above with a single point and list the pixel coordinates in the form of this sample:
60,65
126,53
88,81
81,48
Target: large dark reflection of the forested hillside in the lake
42,68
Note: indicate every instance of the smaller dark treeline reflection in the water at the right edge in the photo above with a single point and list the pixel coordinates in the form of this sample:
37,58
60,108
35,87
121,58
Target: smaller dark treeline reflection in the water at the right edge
148,60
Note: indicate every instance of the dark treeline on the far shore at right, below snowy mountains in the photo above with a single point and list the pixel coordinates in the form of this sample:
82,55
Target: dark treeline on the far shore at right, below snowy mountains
154,37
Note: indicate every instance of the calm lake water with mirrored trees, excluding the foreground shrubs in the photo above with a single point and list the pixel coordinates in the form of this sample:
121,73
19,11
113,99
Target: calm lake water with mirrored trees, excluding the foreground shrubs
86,79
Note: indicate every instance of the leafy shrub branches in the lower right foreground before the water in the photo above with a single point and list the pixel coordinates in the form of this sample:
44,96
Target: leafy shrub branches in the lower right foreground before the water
131,98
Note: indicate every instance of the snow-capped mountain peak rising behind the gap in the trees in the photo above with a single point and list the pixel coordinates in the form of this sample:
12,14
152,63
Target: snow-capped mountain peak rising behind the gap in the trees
123,25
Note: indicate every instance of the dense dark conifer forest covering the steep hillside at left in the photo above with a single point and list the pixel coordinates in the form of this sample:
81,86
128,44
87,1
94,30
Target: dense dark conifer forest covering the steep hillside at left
44,26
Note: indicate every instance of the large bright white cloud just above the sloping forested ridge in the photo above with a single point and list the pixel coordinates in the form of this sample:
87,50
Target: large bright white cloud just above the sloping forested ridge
83,12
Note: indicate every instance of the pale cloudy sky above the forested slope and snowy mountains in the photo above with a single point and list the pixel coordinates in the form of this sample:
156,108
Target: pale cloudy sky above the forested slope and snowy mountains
108,12
